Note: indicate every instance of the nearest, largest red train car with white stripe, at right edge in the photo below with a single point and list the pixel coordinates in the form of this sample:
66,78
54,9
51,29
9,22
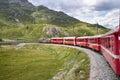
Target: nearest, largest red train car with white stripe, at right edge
110,48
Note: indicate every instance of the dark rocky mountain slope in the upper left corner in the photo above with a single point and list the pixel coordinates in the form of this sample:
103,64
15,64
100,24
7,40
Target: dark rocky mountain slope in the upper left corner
16,11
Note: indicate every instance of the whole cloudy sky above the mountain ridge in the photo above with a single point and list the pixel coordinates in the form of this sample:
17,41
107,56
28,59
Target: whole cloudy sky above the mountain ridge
104,12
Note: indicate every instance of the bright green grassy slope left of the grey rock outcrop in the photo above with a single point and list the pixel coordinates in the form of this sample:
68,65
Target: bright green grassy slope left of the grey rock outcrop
28,32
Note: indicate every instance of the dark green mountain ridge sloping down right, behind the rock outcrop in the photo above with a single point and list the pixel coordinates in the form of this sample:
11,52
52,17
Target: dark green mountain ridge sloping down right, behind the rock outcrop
45,15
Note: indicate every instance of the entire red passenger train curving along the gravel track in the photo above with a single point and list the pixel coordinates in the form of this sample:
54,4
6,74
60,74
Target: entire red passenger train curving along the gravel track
108,44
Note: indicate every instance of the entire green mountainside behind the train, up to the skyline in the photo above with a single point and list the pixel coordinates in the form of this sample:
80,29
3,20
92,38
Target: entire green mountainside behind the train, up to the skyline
20,20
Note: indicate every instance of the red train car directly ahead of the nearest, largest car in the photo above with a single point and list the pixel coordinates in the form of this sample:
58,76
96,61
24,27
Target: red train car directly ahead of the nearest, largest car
94,42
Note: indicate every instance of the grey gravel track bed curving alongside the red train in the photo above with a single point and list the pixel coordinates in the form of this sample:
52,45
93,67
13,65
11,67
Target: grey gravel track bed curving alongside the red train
99,68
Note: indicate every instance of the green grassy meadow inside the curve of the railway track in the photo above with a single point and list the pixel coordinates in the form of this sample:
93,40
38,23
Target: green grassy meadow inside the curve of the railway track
42,62
